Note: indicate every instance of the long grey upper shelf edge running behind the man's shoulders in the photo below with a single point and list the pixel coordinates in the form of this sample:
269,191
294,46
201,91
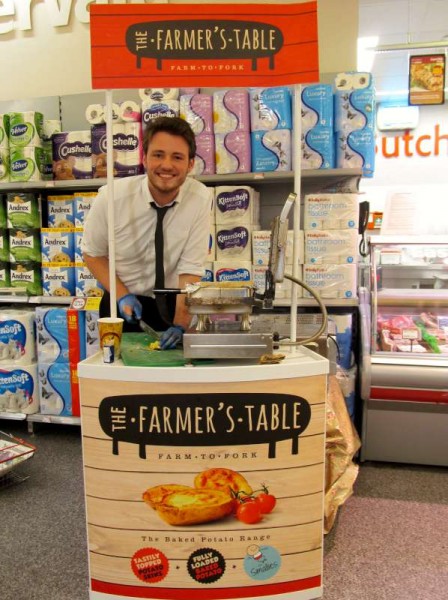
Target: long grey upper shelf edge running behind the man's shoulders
254,178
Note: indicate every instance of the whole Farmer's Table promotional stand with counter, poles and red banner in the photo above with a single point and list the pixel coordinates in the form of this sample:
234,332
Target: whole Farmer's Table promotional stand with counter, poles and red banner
180,431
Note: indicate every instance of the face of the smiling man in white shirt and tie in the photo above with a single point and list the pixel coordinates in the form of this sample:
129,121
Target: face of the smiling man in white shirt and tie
167,165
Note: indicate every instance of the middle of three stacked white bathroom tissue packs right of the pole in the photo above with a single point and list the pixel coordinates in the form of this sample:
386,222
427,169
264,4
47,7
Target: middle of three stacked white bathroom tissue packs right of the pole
331,247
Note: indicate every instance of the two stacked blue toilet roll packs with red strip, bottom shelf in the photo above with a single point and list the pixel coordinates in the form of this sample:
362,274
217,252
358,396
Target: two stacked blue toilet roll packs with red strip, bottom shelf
60,346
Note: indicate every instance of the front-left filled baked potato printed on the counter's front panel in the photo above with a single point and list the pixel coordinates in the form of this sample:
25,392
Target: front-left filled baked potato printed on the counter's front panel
191,506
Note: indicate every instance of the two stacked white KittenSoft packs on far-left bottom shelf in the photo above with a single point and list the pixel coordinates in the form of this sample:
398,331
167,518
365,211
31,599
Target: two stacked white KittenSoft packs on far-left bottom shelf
19,391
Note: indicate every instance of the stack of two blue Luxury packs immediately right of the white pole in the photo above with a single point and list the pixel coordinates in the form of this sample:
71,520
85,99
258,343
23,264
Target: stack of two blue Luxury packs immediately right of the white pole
317,139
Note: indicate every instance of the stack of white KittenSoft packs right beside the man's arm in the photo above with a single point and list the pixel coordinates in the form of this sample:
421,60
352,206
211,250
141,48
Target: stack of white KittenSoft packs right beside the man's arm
237,213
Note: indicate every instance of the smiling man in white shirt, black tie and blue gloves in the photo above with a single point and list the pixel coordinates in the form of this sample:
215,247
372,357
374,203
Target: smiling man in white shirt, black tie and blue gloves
169,149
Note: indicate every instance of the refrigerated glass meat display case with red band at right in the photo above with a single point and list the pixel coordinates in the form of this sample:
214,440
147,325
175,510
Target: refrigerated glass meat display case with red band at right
404,333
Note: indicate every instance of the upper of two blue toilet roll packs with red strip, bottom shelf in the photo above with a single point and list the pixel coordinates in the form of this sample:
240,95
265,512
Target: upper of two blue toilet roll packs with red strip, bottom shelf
60,335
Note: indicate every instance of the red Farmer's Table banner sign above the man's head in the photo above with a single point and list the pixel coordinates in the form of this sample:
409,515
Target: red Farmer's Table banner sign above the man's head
191,45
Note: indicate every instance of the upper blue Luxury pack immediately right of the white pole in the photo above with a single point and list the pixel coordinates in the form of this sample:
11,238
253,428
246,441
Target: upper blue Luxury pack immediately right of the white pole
317,106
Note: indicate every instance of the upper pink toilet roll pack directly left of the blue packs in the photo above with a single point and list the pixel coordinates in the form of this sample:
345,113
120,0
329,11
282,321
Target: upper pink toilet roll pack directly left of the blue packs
231,110
